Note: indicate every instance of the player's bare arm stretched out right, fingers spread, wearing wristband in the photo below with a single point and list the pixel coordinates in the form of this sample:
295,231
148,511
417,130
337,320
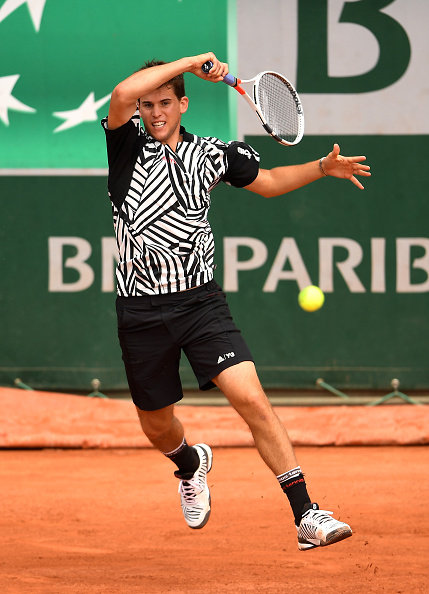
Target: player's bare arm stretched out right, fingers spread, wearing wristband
281,180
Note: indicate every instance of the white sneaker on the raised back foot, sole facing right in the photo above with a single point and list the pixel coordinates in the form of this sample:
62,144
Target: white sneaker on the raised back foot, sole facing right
194,492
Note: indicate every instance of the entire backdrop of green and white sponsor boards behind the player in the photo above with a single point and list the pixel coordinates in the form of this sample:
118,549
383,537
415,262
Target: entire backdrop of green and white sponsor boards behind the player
368,250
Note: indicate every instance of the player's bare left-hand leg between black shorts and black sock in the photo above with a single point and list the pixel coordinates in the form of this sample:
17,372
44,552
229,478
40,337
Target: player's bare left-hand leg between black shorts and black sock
162,428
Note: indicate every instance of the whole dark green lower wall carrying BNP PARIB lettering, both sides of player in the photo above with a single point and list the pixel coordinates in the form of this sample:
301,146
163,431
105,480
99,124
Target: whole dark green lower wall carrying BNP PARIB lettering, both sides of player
57,336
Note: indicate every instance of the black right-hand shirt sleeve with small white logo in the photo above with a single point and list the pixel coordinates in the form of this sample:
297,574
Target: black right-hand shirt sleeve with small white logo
243,164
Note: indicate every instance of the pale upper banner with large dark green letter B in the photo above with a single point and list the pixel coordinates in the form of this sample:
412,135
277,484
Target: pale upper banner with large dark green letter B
360,66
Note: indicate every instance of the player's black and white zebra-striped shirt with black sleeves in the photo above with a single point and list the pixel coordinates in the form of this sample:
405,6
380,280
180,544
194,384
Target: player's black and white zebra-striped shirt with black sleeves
160,201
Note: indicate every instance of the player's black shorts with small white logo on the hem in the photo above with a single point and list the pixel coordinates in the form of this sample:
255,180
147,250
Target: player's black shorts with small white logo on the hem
154,329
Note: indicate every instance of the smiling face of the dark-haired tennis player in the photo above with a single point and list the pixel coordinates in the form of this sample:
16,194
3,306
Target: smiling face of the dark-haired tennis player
161,112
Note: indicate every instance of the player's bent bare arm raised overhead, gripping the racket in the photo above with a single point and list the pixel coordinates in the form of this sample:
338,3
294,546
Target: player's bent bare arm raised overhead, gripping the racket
126,94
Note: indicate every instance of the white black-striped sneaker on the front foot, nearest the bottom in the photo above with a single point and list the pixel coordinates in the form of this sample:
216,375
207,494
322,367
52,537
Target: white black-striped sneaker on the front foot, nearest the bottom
318,528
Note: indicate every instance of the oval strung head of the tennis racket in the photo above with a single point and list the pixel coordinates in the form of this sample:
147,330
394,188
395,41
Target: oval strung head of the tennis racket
279,105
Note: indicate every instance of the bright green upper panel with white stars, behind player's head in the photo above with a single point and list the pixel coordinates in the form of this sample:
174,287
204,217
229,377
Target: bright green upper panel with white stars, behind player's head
83,48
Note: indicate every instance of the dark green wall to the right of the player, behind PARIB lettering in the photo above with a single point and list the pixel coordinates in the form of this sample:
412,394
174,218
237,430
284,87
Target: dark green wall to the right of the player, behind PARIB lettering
360,339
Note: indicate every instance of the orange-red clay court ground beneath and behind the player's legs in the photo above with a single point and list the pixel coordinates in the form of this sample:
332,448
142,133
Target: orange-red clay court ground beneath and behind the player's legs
88,507
